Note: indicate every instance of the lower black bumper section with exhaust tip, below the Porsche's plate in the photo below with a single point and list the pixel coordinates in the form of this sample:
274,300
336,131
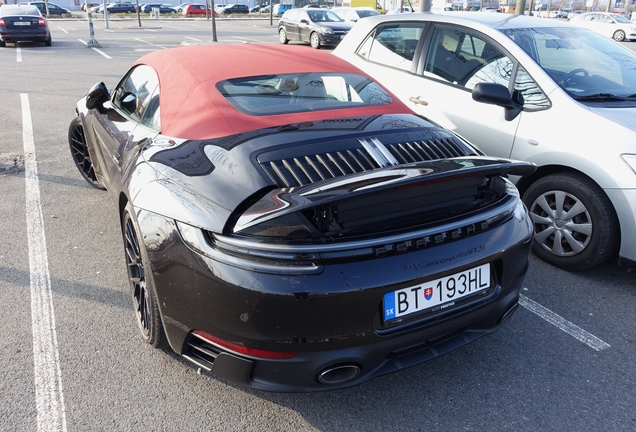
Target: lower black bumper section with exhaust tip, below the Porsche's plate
303,373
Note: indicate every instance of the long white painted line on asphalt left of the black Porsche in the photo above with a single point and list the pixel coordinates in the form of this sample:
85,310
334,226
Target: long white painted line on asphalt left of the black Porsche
49,399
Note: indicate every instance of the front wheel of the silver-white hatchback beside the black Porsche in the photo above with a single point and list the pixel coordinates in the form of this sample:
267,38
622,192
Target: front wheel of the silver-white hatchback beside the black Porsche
575,225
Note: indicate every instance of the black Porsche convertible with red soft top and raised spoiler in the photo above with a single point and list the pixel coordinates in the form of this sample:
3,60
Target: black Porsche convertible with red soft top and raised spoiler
290,225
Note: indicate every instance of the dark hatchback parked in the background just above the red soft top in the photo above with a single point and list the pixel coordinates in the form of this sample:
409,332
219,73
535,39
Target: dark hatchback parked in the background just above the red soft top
318,27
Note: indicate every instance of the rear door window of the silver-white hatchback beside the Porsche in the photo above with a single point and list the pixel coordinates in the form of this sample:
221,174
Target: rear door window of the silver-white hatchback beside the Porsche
393,45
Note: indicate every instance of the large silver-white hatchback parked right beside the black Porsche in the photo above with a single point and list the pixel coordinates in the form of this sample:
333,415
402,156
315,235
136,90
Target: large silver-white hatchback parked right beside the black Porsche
532,89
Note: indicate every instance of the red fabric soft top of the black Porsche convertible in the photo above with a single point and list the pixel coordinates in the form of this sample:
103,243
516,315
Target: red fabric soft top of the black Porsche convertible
193,108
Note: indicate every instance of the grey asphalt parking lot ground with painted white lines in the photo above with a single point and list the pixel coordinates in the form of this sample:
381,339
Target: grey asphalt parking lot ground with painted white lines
565,360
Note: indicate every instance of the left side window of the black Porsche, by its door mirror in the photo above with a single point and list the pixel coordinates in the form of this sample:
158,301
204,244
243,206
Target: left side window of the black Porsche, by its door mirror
133,92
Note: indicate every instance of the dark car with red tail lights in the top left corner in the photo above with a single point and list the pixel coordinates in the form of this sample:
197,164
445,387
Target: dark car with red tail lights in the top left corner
23,23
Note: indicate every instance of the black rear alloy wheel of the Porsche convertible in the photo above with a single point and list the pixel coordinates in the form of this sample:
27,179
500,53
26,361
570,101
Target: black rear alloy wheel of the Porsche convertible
141,287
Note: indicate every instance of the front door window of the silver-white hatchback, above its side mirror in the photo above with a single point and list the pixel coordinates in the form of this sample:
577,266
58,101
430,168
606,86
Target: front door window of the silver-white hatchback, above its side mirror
462,58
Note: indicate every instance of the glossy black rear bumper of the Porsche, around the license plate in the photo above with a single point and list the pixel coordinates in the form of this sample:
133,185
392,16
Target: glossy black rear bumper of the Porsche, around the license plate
332,318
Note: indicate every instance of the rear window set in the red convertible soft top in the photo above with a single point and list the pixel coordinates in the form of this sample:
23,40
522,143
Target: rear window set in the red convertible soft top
302,92
